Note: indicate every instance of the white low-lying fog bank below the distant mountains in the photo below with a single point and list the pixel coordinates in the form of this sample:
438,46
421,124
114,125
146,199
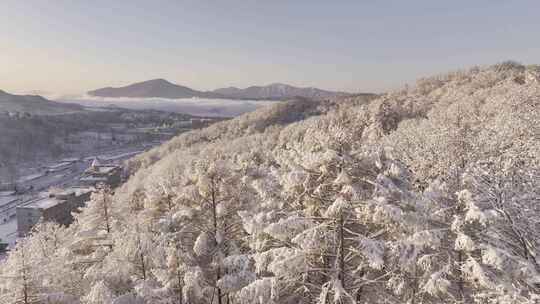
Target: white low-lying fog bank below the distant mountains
193,106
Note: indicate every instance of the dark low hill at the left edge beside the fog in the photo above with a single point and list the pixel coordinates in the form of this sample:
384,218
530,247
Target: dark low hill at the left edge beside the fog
34,104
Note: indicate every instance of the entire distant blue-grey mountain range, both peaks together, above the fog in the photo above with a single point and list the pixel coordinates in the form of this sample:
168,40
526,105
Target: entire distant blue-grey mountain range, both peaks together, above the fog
161,88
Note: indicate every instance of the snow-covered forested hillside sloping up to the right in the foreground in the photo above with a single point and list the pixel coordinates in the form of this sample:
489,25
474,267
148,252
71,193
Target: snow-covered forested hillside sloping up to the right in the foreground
429,194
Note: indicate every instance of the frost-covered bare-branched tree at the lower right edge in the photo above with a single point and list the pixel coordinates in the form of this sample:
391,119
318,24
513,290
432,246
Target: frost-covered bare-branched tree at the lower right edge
498,231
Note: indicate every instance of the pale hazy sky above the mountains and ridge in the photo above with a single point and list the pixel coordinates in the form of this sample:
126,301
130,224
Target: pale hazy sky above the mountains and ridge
70,47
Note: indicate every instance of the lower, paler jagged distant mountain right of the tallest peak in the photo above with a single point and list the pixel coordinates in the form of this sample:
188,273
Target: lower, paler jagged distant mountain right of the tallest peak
276,91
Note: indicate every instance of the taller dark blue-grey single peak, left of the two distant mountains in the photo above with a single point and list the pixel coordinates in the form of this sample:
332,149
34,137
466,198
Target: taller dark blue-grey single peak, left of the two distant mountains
159,88
